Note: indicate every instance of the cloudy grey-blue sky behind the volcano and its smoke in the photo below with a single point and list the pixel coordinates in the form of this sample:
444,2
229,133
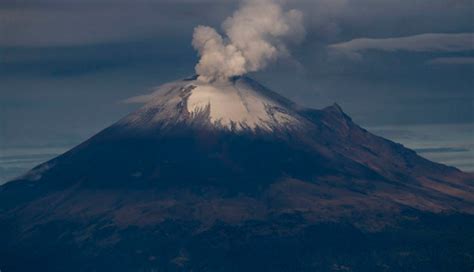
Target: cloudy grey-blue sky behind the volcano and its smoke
402,69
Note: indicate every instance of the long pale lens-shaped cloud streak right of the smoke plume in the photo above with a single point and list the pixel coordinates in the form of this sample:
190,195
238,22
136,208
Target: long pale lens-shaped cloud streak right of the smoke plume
428,42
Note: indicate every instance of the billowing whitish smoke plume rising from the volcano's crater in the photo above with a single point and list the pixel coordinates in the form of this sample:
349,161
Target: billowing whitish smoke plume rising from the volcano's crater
256,34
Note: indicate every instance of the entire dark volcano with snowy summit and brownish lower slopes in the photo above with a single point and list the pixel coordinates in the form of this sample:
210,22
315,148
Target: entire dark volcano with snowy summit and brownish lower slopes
230,176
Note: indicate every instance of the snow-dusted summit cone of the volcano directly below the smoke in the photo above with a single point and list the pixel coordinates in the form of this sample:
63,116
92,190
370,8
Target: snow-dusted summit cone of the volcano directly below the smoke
237,104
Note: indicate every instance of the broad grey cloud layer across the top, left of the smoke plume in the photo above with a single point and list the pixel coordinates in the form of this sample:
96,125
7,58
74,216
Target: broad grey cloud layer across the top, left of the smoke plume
52,23
